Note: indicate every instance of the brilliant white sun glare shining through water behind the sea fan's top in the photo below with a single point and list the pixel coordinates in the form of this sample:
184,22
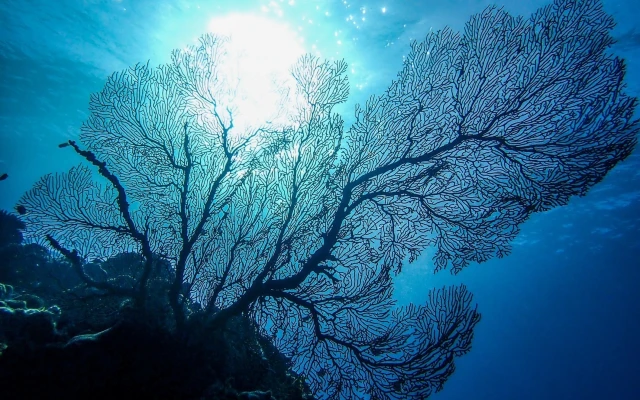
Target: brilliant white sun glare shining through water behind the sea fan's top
261,52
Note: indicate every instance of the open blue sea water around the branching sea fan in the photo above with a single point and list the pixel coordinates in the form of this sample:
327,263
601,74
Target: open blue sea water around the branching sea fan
560,315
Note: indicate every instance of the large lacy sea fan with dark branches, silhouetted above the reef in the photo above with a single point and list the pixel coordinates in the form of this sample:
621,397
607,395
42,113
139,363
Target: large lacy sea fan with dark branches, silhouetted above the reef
300,225
